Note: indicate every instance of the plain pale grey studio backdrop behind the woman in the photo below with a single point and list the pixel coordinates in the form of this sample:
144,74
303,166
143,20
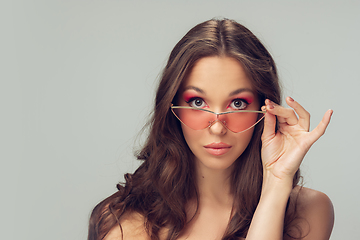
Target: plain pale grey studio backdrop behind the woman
77,84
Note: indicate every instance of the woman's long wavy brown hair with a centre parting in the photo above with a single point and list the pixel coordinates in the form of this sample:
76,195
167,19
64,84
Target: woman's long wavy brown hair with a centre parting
165,182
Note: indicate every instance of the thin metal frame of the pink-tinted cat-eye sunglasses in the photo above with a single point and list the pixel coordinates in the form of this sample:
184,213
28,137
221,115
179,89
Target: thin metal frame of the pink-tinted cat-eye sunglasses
217,114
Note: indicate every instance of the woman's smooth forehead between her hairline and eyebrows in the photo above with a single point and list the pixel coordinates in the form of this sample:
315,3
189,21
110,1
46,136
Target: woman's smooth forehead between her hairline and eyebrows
218,74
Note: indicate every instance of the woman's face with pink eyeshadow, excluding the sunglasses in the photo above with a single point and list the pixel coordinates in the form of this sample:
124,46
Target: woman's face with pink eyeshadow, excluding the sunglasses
219,84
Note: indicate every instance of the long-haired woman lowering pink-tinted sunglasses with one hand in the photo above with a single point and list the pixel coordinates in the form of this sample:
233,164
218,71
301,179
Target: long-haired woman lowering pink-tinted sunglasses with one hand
232,175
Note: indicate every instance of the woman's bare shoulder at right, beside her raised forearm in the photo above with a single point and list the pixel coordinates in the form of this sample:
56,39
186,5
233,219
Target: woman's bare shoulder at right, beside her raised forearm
315,211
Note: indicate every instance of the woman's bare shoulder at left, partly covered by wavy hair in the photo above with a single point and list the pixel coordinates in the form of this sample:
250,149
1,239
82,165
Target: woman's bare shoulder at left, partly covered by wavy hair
132,225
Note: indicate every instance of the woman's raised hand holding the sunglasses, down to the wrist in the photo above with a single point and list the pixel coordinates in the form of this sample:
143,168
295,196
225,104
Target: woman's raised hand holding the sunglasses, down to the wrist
284,150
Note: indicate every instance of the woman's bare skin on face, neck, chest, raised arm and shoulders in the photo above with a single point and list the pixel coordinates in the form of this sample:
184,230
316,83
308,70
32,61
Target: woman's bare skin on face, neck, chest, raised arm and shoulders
282,153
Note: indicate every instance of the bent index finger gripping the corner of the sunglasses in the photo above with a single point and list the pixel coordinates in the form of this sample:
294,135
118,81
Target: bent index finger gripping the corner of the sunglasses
285,115
